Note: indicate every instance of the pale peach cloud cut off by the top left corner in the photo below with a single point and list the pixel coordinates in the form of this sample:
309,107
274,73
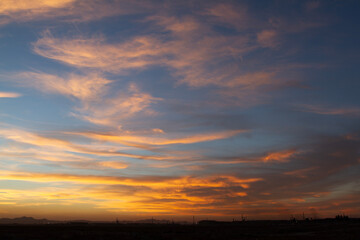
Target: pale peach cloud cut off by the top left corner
67,10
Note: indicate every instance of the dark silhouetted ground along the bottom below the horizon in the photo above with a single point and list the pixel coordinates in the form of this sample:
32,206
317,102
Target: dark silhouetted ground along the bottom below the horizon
241,230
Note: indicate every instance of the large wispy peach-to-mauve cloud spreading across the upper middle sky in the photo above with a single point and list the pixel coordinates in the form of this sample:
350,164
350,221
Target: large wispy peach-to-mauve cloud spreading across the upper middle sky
192,51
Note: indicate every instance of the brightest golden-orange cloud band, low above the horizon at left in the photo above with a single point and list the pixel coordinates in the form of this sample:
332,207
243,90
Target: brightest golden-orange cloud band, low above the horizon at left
137,194
